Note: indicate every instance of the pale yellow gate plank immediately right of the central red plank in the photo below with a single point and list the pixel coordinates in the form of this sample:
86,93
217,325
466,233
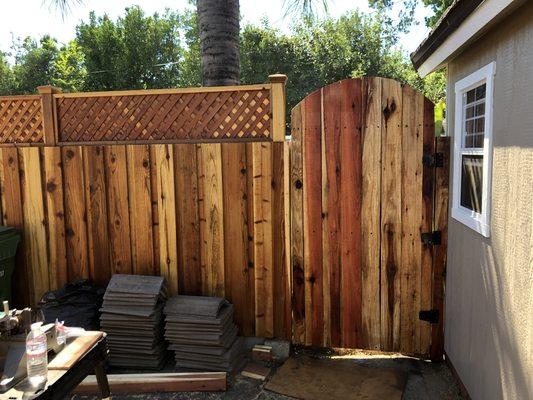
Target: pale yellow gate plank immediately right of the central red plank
370,217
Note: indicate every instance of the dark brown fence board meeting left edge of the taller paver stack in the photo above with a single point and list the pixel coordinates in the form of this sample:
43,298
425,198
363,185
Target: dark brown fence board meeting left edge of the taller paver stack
97,227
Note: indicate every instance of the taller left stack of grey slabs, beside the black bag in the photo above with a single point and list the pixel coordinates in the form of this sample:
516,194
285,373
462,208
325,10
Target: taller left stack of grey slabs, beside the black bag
132,317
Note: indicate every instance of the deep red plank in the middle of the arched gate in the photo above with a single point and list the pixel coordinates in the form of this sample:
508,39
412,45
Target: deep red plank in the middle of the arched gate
350,225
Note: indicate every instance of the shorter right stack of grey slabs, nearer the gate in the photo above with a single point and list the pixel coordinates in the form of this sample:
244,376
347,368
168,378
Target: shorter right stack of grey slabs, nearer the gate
202,334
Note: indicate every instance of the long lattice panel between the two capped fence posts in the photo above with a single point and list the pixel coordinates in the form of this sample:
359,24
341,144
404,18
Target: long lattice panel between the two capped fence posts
237,114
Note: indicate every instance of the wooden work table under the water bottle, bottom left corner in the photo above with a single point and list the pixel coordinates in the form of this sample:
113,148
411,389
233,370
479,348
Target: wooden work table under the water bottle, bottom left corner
82,356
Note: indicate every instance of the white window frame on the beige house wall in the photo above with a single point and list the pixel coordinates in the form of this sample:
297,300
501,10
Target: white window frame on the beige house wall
479,222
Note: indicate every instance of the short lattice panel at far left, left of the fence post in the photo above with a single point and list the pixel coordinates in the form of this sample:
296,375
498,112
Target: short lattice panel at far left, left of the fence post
21,120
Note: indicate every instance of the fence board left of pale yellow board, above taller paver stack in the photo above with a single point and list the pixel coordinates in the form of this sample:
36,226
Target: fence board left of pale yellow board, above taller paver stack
140,212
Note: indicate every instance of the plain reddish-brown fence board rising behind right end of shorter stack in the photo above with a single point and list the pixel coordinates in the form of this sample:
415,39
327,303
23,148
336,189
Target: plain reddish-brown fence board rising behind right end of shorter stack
238,284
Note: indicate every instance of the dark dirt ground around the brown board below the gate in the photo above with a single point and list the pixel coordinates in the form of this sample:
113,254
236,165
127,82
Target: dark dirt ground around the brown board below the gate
426,380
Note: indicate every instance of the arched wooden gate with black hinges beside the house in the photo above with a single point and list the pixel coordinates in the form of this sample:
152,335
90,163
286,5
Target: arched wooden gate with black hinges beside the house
368,190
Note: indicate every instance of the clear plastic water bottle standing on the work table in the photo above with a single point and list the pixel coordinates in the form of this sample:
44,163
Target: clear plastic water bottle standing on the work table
36,355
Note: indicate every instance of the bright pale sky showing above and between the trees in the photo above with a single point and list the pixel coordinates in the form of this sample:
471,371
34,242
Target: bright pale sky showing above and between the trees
35,18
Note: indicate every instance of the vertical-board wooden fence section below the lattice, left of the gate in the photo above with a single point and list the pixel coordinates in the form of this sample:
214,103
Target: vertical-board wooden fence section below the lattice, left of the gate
91,211
